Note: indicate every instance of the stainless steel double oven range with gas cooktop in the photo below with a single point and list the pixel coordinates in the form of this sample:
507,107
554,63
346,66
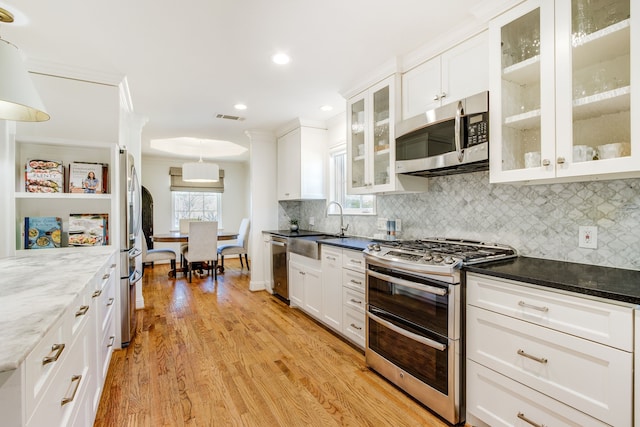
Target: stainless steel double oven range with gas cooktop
415,316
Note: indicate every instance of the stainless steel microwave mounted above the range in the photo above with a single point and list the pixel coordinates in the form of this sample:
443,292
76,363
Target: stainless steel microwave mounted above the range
447,140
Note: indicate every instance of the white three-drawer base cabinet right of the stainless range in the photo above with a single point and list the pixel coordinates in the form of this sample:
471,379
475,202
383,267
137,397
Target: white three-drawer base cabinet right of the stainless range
519,334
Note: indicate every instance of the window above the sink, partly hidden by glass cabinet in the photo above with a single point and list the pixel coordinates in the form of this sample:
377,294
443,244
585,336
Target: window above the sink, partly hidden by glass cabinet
351,204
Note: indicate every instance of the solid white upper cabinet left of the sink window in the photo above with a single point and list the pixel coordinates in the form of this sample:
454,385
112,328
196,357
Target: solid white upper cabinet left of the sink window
302,159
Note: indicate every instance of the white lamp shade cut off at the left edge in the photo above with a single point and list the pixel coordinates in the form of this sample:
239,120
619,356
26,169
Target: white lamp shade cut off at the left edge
19,100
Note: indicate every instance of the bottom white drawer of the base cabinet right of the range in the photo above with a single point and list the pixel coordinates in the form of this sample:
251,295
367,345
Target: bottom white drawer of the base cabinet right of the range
501,402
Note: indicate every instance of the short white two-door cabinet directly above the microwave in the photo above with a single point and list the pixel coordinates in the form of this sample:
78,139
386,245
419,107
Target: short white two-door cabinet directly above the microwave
455,74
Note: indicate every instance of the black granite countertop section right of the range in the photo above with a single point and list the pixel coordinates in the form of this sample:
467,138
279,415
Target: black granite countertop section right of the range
605,282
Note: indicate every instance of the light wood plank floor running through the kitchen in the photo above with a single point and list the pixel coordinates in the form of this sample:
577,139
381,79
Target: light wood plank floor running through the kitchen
208,354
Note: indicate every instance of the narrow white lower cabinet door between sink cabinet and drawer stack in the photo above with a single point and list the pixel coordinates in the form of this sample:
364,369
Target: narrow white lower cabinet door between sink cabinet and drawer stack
331,259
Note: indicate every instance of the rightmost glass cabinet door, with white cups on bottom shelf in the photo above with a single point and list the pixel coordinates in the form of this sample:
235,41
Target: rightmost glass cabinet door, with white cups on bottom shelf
594,133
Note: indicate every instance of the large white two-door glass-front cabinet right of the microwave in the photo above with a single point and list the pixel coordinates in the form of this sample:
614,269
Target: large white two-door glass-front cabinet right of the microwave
561,94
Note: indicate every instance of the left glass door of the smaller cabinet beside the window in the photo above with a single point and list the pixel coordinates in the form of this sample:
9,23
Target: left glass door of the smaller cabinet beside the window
357,153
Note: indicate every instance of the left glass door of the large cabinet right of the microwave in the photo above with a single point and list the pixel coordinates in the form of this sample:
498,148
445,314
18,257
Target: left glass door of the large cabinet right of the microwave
522,94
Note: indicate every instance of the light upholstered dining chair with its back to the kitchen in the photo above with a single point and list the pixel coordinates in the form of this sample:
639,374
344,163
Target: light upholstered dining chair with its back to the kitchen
202,246
